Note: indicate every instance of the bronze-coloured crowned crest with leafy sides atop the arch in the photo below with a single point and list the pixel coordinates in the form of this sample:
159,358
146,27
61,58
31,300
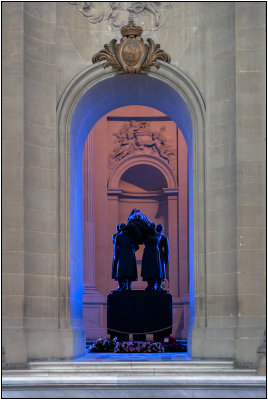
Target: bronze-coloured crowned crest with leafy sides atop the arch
131,55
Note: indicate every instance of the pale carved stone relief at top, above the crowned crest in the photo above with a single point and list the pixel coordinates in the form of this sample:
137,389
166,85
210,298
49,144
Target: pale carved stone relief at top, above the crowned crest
149,14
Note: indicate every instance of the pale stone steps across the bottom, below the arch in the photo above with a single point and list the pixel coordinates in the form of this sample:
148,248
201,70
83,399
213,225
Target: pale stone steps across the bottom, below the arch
133,379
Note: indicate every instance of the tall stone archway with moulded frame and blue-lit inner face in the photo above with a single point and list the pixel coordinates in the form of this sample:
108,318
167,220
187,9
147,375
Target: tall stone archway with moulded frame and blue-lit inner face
90,95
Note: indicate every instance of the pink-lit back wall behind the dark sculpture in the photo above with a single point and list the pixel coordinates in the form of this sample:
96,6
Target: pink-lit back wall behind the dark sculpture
140,187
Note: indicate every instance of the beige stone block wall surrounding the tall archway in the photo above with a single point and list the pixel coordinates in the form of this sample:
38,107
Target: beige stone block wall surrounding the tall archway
222,47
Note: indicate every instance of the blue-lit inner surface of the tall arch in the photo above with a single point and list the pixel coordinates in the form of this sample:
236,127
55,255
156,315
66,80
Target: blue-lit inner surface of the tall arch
107,95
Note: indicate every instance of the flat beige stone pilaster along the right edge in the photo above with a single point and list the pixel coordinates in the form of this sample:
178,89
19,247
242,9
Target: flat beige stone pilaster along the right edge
251,178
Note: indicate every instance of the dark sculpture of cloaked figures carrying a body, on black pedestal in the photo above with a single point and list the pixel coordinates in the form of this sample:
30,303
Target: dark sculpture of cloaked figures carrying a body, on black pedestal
139,230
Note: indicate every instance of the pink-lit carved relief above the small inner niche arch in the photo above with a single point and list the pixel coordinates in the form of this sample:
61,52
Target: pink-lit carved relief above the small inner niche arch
136,137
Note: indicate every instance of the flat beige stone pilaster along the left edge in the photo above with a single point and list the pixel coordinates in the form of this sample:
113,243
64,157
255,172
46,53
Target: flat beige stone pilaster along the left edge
13,250
